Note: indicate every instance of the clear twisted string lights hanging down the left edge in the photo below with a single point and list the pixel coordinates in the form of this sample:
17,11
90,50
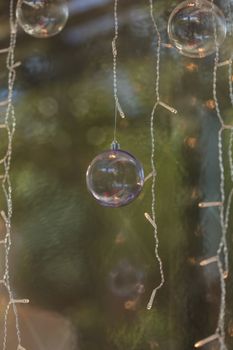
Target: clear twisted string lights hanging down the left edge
9,125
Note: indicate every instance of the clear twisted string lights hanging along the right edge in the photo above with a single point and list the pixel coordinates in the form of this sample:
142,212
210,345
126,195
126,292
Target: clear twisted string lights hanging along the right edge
222,255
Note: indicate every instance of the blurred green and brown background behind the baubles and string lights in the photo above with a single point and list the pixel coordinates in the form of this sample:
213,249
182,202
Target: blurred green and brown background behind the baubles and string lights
95,266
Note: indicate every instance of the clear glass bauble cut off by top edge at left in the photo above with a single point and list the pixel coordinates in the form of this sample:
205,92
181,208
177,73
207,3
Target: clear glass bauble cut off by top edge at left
42,18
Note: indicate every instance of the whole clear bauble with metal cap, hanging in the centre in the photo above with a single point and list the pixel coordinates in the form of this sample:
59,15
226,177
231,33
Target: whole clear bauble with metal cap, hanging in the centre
115,177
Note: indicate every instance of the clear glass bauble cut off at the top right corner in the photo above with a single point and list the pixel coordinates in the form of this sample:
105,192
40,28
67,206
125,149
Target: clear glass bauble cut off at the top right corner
191,28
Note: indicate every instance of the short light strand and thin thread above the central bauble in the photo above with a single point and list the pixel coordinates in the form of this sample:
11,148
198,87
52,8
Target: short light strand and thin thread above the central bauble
118,108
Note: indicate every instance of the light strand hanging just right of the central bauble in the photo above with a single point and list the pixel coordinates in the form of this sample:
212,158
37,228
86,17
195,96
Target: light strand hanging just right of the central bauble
152,218
